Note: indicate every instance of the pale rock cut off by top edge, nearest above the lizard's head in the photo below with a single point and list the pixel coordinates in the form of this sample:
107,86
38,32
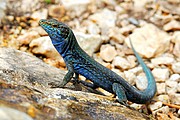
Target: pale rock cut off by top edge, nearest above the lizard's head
75,8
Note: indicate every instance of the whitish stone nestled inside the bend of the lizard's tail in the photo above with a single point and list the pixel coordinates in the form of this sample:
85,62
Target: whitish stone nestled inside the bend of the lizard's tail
141,82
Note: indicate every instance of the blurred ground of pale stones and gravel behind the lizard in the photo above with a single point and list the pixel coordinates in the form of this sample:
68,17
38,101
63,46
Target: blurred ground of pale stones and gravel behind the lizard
103,29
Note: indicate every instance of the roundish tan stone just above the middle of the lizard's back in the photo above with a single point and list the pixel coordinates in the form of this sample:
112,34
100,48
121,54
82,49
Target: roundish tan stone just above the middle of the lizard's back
107,52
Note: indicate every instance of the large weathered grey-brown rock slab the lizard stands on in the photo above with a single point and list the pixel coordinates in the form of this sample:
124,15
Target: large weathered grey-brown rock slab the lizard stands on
25,84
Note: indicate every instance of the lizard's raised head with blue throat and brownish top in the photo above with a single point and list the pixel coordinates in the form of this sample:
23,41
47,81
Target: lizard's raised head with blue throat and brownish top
57,31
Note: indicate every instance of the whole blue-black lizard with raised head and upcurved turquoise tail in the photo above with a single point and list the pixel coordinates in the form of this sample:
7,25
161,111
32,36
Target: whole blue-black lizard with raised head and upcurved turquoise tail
78,62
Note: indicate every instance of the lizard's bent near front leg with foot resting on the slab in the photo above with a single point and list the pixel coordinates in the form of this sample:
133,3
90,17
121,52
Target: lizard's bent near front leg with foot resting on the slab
66,78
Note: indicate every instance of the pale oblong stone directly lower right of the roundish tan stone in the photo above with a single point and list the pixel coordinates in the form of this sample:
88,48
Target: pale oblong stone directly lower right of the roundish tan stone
121,62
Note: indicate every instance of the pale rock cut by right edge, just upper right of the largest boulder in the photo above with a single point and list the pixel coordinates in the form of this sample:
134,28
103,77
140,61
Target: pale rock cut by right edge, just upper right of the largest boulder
172,25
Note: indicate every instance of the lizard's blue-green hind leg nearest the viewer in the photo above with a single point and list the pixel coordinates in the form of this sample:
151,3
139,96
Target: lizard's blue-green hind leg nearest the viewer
119,91
